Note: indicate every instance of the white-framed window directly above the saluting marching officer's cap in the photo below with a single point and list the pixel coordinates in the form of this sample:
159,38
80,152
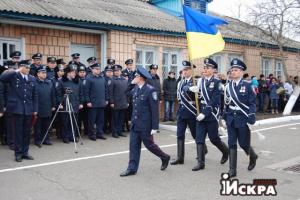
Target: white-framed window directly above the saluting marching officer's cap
145,57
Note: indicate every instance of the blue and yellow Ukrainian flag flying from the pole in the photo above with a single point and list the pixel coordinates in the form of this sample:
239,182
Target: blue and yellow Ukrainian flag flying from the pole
202,34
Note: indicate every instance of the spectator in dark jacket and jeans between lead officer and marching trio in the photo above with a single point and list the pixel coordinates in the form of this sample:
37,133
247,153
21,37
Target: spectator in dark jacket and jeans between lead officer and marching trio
169,90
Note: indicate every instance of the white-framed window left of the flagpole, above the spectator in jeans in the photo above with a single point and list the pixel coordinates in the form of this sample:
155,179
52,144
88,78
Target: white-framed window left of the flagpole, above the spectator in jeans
170,63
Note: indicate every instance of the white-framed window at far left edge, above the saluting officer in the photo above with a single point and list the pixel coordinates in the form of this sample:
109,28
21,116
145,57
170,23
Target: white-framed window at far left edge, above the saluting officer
7,46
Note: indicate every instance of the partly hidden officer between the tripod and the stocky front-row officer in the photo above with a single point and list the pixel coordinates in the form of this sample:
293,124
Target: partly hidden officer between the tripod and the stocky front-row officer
83,113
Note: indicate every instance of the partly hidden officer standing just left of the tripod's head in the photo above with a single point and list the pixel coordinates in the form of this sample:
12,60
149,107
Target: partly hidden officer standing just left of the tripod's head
58,122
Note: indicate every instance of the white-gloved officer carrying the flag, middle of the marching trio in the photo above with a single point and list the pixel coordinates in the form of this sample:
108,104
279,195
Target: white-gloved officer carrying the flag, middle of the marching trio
209,88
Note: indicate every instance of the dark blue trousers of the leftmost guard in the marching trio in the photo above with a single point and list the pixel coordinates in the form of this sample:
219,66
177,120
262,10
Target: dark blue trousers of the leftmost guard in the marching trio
182,124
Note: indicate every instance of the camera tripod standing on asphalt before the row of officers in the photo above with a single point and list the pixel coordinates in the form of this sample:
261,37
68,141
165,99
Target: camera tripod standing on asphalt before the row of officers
70,111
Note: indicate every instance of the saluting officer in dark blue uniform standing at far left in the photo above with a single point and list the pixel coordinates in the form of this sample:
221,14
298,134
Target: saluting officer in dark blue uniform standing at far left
22,103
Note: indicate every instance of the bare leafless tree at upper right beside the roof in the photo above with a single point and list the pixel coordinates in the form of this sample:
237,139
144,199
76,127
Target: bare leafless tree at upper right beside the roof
278,19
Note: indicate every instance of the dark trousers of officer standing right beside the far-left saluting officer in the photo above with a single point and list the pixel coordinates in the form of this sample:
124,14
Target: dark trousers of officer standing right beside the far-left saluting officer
40,128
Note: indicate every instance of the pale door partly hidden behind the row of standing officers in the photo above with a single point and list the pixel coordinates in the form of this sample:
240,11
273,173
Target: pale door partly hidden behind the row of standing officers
85,51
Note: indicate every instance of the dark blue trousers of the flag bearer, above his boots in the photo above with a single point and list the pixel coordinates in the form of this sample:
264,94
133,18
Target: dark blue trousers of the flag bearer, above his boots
209,128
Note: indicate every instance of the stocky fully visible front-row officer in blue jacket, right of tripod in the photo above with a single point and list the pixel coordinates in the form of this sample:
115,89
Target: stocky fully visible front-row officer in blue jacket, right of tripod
97,99
